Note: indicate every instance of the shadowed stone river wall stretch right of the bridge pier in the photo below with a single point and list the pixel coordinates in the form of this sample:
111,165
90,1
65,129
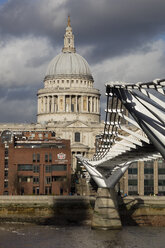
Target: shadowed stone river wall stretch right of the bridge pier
142,211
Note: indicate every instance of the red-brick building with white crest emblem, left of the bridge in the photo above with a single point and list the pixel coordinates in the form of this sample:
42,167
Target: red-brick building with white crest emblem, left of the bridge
34,163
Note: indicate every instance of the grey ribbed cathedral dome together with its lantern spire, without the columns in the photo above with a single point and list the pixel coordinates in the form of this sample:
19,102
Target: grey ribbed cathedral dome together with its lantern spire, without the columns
68,64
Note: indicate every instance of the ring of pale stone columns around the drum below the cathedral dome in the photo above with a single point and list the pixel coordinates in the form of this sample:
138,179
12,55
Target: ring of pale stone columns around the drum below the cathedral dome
68,103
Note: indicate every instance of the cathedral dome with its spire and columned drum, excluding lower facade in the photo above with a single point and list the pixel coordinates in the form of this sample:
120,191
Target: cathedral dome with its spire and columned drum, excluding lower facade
68,93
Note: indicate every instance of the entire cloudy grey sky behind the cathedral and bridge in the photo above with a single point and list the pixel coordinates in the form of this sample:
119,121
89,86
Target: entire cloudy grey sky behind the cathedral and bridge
121,40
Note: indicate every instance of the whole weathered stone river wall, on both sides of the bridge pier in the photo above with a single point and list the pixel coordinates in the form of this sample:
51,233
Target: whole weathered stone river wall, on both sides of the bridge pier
77,210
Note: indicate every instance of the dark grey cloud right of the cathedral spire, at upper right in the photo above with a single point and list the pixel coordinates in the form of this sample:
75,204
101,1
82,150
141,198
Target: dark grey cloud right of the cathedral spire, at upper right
117,27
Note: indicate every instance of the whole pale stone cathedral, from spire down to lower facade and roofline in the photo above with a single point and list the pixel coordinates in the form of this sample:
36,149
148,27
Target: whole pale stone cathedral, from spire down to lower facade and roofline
68,104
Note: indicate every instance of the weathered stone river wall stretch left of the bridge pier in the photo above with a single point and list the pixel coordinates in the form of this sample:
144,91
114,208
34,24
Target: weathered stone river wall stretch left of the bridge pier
55,210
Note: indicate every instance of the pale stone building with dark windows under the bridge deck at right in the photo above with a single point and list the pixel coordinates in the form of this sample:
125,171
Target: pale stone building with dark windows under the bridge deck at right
144,178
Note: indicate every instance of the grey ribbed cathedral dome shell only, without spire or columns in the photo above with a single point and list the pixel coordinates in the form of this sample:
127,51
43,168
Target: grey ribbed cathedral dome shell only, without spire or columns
68,64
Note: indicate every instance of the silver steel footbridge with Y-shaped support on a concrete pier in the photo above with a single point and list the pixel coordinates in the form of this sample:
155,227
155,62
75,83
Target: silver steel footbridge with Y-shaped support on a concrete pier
142,107
